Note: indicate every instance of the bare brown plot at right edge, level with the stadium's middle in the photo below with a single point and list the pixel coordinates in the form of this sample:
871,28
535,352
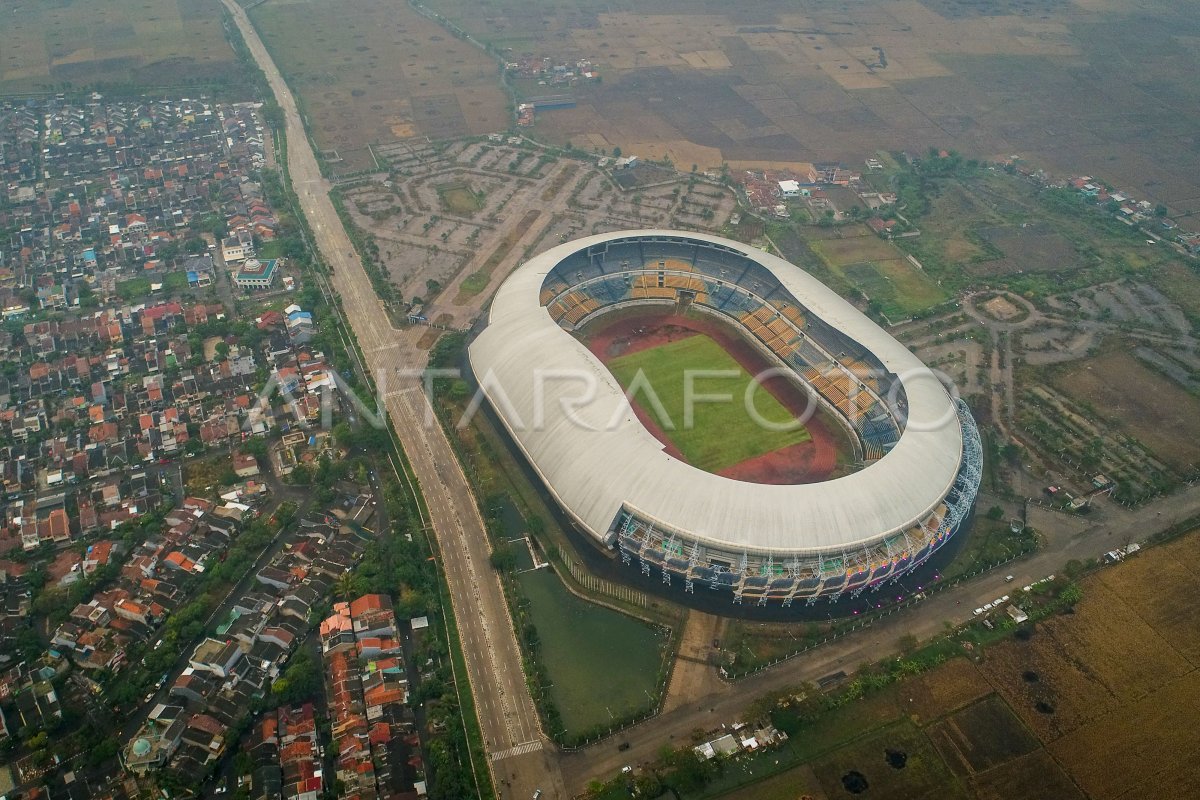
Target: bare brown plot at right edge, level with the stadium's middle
1139,402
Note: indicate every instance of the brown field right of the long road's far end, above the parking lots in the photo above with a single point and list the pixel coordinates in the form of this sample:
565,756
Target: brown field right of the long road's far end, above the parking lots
371,73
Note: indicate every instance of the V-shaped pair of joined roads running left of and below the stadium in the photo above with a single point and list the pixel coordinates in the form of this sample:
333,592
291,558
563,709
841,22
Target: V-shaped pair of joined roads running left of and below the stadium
520,761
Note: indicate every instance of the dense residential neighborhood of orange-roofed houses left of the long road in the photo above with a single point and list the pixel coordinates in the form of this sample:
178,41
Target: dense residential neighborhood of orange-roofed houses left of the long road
167,396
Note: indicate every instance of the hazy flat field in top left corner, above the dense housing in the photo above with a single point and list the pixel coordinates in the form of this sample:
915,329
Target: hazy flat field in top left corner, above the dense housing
154,44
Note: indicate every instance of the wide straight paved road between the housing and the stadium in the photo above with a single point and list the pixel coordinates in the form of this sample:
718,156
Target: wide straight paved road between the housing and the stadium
513,738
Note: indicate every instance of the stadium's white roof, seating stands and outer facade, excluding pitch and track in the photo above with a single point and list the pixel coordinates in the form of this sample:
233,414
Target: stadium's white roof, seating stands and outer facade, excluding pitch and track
916,444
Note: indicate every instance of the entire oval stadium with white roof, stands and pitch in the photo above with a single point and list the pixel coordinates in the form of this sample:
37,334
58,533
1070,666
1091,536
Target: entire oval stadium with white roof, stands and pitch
877,480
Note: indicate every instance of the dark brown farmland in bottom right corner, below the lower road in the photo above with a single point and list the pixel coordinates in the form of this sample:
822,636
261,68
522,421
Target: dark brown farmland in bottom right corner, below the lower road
1065,712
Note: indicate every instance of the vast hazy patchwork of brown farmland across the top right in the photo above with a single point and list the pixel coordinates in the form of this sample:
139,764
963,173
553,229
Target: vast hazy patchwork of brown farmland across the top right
772,82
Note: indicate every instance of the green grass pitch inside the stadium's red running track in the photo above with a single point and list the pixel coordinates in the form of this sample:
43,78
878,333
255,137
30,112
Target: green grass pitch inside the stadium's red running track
722,434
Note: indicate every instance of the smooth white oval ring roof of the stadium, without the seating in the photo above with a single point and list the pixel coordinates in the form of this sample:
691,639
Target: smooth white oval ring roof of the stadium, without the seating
604,458
